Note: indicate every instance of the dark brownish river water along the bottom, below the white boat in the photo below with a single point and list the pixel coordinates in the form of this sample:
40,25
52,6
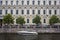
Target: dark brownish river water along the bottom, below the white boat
40,36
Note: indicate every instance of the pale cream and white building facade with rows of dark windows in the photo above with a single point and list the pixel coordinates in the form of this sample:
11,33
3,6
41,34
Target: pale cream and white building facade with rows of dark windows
30,8
